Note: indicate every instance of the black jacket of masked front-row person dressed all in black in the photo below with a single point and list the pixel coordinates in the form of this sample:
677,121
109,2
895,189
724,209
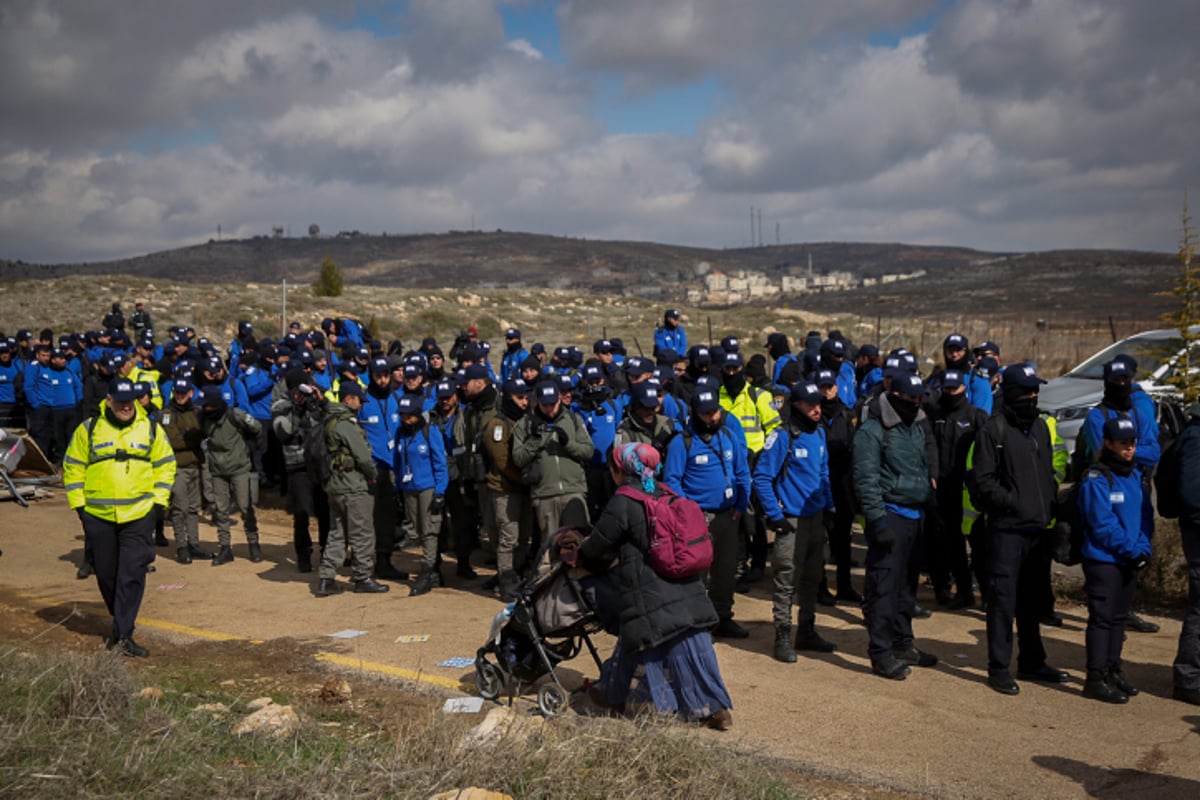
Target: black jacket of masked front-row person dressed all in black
1013,474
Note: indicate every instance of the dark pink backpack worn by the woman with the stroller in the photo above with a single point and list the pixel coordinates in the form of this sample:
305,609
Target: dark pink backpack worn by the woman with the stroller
680,542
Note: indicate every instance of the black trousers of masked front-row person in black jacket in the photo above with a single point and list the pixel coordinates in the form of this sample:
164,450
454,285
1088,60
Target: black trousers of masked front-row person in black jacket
1017,561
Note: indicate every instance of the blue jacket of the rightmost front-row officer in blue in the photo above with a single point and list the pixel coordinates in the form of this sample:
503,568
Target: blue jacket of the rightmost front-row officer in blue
1114,532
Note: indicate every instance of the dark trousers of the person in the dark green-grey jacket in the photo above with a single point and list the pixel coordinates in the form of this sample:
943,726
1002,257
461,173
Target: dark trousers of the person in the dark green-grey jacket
890,596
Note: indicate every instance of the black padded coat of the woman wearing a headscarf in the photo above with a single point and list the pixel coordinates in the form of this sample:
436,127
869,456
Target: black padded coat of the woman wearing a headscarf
652,610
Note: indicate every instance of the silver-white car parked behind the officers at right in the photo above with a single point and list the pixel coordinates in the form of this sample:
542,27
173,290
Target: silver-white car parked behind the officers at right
1070,398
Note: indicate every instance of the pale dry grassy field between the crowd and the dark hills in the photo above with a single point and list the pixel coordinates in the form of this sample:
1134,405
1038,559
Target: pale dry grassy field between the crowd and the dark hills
553,317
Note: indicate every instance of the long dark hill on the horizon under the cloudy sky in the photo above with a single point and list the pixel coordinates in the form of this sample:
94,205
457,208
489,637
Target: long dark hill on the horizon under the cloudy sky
956,281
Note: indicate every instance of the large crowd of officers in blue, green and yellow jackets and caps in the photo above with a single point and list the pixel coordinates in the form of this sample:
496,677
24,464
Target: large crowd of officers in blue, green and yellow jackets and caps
781,452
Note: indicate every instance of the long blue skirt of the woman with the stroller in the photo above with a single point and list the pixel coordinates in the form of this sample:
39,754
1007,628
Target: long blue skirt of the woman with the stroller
680,677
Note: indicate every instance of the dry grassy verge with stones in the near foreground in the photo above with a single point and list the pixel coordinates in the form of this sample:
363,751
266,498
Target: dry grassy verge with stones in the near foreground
70,727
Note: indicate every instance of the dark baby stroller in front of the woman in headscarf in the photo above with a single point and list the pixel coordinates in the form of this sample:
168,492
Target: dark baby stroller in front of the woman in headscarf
550,622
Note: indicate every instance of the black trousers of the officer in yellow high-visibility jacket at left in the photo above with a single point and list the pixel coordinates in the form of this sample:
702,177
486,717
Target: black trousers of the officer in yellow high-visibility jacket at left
121,554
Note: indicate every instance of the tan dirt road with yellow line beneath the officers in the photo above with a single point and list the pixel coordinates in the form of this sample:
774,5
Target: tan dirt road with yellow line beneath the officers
941,733
